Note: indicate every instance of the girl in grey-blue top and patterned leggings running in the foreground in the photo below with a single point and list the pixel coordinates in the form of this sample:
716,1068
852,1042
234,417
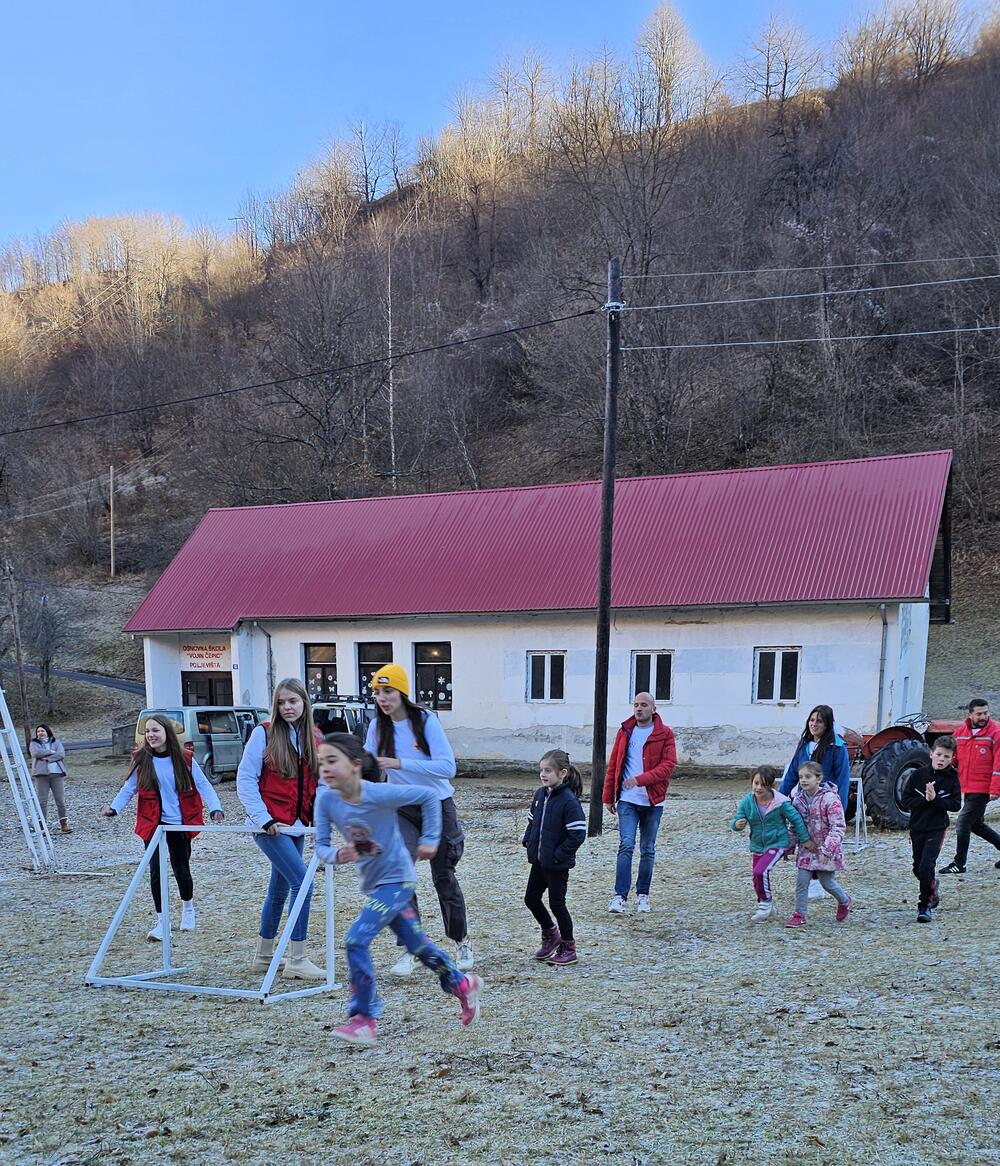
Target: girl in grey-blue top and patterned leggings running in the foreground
365,816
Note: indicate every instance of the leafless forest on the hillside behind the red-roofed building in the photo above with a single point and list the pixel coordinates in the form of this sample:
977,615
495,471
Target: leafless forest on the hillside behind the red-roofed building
869,165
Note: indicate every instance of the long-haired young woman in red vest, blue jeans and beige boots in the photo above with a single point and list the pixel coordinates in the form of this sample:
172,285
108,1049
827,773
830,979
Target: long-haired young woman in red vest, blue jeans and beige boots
277,784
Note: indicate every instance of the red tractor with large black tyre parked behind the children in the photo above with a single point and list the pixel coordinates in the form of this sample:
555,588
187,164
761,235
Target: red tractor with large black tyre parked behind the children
888,760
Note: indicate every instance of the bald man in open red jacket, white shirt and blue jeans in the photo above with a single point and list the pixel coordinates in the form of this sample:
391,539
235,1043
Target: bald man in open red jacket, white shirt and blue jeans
638,775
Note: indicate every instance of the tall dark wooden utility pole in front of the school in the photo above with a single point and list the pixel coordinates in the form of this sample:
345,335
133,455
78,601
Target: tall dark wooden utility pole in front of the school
600,757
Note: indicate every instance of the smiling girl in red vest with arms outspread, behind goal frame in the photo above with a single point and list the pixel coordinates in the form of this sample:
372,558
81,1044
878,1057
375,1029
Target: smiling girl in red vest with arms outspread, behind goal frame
173,791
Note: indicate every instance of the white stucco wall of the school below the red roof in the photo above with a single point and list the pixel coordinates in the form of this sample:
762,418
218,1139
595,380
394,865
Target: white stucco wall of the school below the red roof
714,661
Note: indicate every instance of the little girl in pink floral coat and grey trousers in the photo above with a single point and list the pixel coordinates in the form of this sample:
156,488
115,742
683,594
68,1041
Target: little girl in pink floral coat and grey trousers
823,814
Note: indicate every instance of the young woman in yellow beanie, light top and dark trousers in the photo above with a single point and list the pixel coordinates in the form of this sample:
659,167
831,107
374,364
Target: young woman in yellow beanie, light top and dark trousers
412,749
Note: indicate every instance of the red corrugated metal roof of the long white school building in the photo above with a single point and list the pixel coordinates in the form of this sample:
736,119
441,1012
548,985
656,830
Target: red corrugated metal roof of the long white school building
834,531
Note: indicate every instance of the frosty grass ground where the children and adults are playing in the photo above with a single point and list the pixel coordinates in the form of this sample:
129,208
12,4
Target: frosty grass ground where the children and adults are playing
685,1036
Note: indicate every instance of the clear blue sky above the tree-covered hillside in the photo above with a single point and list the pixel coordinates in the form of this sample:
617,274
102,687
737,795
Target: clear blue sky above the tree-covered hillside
135,106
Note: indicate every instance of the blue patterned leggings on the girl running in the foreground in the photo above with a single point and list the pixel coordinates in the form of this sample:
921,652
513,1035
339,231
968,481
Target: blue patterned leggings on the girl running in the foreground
391,905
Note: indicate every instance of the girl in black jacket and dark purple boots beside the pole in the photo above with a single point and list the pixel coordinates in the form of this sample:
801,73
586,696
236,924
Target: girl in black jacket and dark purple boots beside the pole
557,830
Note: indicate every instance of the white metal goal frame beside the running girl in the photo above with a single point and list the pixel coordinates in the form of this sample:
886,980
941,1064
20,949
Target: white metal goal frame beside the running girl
154,980
